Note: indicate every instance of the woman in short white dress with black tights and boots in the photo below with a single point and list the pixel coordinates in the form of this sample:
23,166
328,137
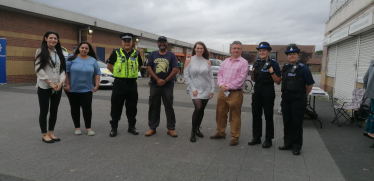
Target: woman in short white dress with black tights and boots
199,78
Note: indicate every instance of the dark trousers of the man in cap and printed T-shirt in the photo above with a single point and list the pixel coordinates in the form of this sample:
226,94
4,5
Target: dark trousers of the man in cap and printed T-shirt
155,95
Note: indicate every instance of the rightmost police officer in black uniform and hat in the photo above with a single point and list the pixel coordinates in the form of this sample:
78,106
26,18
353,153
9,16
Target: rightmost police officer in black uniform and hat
297,82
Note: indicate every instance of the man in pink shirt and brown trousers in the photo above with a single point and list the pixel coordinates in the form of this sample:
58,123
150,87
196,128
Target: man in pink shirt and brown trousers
231,76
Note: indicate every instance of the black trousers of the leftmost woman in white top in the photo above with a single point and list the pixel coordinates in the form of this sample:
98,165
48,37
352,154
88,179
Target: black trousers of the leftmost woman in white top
48,101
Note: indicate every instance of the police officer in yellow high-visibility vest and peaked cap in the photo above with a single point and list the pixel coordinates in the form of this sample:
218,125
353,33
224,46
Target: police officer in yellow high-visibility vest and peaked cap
124,63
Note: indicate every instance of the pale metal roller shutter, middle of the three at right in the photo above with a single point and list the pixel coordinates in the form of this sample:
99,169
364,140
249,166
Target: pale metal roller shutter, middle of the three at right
345,80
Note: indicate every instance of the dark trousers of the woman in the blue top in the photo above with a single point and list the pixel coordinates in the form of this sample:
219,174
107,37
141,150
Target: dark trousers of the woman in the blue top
78,101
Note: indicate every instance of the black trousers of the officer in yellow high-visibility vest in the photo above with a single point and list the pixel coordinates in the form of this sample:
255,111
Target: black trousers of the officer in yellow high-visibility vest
124,93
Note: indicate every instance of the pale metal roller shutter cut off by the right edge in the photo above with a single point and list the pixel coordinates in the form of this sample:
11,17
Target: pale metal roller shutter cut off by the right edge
366,54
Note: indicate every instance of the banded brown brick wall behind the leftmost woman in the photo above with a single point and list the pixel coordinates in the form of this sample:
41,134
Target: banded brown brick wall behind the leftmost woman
24,35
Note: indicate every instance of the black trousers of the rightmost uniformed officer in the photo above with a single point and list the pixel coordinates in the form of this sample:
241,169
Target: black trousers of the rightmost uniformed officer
293,107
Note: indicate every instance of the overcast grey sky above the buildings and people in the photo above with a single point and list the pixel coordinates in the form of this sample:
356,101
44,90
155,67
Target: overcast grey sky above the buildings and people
215,22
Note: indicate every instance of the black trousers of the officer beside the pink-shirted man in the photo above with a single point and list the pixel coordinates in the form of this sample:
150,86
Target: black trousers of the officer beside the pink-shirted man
263,99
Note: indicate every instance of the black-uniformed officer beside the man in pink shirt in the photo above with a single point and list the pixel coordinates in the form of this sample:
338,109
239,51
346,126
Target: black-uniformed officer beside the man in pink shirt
265,73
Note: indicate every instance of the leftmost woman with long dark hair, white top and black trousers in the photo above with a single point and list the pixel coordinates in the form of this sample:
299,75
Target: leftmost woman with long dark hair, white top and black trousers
50,71
